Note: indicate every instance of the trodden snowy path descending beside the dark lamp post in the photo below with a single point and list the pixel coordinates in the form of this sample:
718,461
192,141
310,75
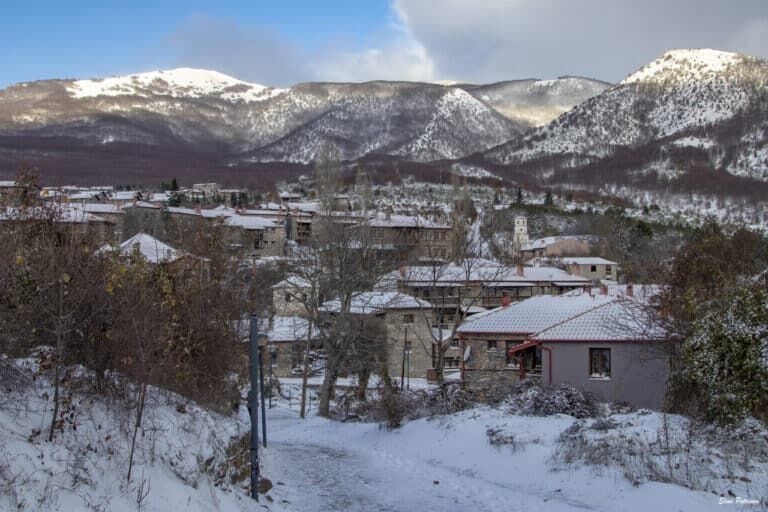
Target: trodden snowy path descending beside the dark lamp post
371,477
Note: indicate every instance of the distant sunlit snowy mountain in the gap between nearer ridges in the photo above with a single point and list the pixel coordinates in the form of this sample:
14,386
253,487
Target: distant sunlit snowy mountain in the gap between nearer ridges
537,102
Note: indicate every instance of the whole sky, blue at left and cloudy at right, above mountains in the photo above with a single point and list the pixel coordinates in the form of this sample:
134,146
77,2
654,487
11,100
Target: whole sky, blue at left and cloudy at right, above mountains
281,43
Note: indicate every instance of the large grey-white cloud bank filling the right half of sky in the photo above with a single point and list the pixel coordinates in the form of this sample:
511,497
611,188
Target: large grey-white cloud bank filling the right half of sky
487,40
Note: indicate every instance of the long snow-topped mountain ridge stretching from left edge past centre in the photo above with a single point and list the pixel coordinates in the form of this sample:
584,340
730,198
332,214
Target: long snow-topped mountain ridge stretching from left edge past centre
212,112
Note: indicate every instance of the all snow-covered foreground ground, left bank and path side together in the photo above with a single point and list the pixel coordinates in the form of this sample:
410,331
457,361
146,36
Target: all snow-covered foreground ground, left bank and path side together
481,459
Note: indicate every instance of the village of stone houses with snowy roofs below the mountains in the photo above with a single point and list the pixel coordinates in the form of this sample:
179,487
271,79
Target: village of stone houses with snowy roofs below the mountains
556,313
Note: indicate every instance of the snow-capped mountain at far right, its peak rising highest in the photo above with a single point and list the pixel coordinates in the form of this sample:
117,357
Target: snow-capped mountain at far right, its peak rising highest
711,104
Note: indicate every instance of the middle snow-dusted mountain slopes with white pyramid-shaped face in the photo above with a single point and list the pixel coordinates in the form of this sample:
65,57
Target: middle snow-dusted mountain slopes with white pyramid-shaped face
417,121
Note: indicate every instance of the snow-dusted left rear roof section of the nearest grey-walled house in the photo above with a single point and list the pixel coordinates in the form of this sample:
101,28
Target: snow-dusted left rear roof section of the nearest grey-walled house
542,312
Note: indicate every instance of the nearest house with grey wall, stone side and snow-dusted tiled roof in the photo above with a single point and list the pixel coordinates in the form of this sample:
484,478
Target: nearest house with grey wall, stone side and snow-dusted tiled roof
605,343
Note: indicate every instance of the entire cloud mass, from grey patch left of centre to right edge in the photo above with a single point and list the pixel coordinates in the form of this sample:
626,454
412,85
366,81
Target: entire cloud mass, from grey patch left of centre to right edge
483,41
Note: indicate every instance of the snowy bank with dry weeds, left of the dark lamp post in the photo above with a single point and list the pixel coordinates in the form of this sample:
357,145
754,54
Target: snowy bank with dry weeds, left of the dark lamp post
181,448
